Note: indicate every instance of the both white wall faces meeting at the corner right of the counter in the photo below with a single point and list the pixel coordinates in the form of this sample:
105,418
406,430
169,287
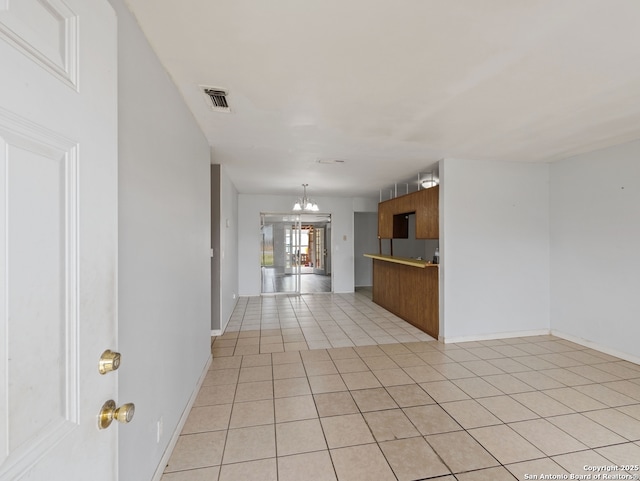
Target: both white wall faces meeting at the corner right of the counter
543,247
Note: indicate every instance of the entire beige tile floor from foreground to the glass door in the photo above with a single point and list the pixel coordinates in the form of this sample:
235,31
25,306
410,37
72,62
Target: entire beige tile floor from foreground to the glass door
288,398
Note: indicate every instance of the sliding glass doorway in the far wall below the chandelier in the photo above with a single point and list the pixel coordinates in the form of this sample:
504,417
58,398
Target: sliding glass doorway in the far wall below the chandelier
295,253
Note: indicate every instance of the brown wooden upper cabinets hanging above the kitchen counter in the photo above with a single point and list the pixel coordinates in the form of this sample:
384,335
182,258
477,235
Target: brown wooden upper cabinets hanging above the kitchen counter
392,222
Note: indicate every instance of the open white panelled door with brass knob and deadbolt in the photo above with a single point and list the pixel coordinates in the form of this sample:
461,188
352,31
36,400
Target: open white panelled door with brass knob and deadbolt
58,245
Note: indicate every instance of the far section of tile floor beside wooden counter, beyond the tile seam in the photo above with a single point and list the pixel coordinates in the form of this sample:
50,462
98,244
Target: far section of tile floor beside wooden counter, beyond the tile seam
315,321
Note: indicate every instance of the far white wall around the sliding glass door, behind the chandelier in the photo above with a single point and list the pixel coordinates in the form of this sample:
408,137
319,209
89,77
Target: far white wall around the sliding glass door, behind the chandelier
249,209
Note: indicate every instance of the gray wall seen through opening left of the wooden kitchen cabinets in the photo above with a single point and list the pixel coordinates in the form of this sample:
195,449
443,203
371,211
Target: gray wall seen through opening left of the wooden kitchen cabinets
365,242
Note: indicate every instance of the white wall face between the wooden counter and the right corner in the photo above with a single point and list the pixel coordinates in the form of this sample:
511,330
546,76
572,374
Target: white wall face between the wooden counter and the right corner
494,244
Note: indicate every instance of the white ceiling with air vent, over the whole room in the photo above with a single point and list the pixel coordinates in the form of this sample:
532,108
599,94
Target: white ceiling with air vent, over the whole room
392,86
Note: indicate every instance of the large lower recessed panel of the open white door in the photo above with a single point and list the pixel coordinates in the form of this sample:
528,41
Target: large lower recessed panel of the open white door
40,276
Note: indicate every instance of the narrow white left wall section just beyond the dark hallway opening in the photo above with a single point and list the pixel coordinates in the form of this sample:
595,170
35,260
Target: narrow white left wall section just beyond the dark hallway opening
229,247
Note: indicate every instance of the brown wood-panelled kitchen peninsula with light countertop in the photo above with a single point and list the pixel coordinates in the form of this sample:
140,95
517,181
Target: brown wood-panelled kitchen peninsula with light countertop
408,288
